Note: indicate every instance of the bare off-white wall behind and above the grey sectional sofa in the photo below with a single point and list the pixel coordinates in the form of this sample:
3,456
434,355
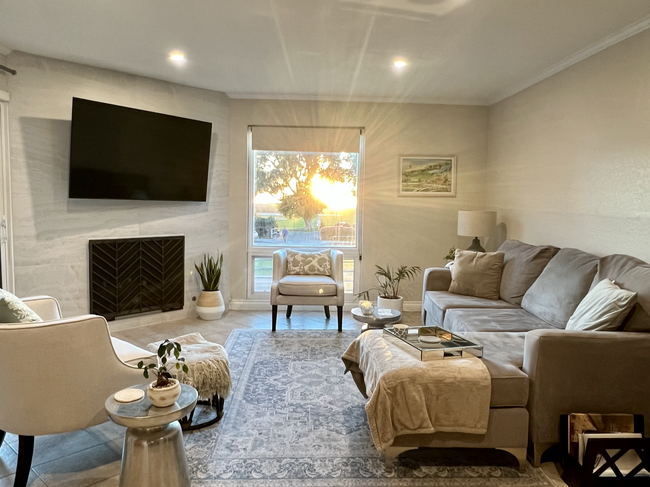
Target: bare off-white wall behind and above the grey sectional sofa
569,158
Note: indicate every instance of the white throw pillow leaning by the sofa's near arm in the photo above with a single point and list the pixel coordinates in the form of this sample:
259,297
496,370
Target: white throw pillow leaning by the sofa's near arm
603,308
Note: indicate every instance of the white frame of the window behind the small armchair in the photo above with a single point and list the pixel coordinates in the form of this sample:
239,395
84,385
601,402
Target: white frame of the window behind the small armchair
253,251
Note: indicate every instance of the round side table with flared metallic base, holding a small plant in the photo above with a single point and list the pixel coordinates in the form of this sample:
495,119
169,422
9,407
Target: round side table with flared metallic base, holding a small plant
153,453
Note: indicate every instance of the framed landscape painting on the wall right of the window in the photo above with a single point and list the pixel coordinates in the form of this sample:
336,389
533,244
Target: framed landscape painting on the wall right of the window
427,176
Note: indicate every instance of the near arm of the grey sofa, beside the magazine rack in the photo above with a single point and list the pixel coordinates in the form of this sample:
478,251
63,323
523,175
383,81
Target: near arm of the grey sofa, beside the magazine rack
584,372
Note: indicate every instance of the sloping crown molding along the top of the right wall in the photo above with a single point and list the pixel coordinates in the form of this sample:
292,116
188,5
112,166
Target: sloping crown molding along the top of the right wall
578,56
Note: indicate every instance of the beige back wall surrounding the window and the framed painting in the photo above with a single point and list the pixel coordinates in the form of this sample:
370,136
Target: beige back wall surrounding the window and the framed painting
396,230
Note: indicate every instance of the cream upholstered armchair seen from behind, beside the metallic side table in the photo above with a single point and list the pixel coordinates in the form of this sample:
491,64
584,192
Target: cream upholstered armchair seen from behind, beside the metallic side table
56,375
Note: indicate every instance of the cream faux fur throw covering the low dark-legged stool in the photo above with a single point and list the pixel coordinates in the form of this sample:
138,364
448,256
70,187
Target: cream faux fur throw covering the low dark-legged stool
209,370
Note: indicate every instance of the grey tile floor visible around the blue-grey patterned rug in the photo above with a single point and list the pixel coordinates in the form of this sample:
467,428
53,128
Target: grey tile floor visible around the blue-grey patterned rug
92,456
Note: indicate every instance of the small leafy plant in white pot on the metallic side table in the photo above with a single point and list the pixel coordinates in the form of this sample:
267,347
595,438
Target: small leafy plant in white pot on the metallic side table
165,389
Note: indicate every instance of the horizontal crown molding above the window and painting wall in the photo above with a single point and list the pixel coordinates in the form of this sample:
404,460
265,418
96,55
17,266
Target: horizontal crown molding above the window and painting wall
356,99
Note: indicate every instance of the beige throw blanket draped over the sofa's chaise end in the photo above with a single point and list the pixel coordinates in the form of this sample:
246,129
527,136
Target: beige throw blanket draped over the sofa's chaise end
408,396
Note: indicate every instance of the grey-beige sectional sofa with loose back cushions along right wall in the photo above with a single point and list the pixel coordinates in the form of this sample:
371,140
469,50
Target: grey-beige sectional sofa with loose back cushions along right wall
533,360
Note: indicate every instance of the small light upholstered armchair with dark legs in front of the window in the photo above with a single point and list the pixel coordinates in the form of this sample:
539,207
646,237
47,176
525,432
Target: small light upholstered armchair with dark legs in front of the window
307,289
